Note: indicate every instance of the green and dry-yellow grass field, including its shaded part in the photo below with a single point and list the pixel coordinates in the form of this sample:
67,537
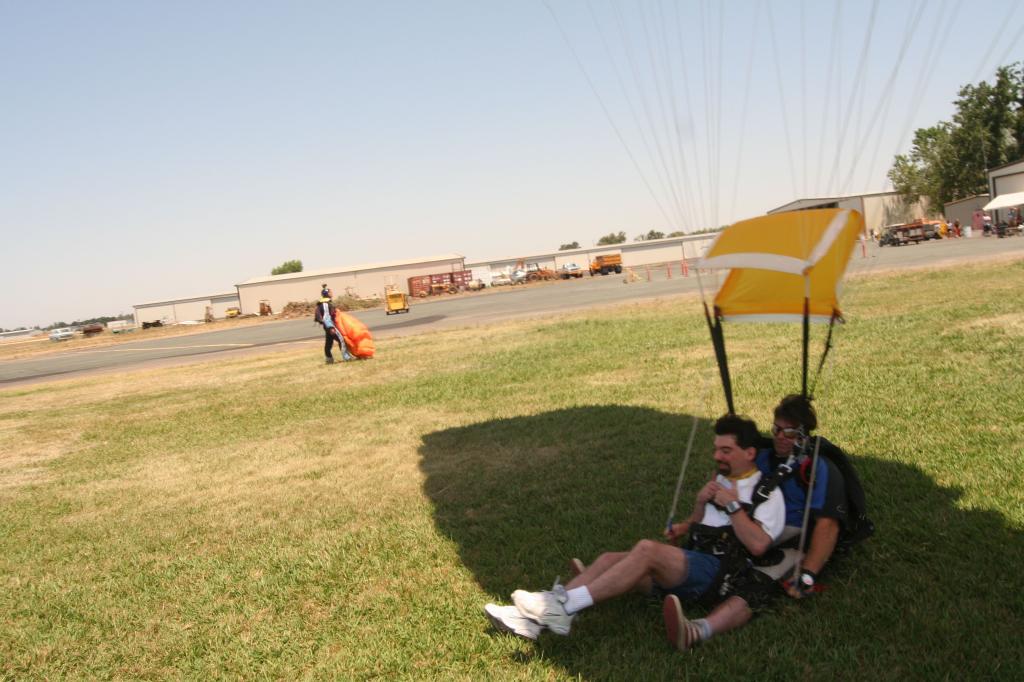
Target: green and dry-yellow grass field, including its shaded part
274,518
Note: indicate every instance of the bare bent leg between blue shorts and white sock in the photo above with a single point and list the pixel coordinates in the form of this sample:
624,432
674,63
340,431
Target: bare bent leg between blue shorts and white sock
648,561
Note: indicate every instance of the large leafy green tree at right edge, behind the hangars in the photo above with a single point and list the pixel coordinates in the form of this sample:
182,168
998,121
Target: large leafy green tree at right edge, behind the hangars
951,160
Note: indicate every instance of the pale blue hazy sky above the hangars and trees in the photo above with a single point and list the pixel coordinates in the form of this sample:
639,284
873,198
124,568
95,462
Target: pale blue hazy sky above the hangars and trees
158,150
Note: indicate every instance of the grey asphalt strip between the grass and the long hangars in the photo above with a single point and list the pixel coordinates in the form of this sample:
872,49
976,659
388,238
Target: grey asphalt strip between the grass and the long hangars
537,301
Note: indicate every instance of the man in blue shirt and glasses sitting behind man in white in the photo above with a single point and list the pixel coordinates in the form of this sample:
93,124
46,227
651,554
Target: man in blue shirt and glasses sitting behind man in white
795,419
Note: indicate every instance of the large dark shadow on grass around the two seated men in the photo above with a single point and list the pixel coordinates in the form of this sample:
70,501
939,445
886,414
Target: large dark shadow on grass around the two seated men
933,594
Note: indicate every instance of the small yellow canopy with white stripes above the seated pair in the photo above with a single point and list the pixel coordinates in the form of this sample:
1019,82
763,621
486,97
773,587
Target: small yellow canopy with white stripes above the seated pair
776,261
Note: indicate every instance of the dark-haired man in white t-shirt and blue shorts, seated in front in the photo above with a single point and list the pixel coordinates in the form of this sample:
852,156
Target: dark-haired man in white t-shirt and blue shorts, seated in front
726,531
